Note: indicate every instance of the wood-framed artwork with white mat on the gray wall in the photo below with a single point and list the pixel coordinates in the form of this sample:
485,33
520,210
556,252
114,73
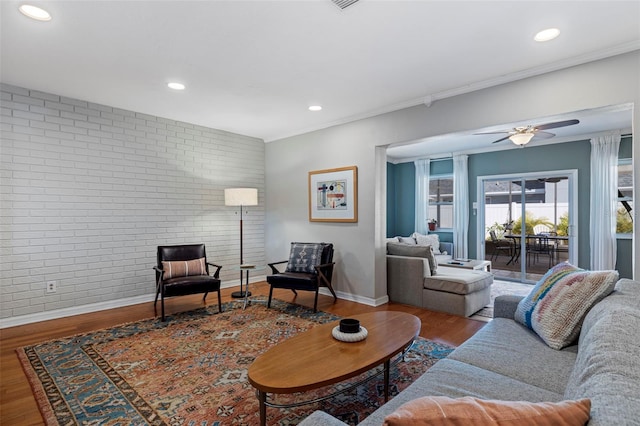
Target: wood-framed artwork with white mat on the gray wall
333,195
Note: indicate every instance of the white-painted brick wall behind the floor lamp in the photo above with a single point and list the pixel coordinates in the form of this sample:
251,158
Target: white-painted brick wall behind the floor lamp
87,192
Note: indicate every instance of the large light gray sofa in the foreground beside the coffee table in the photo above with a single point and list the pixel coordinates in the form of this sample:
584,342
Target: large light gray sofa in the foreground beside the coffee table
506,361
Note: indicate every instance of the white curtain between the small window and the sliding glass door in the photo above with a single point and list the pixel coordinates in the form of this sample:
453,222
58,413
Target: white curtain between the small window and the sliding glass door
460,206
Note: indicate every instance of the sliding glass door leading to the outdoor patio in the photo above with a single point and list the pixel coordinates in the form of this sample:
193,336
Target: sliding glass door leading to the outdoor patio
527,223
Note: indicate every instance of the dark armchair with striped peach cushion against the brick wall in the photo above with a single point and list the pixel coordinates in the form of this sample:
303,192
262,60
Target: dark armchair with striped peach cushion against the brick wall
182,270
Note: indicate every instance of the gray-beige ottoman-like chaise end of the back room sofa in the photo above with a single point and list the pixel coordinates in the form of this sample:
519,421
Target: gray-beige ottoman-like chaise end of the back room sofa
457,291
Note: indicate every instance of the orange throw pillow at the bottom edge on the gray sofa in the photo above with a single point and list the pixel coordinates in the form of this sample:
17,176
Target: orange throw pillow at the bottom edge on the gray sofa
444,411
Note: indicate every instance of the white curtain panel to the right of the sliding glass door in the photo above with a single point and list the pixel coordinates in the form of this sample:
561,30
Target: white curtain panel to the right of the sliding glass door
604,201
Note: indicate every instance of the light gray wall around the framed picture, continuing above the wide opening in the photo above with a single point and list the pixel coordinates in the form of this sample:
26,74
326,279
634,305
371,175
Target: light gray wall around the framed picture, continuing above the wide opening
360,247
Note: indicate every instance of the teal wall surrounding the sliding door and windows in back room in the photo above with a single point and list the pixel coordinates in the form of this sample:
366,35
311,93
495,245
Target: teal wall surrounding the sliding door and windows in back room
565,156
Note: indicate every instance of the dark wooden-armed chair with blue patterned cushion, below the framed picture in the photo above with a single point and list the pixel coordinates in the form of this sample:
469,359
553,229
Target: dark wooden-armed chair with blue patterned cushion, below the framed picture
309,267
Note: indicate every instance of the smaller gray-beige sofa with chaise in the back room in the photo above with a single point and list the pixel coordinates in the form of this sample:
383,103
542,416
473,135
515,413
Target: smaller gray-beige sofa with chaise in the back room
457,291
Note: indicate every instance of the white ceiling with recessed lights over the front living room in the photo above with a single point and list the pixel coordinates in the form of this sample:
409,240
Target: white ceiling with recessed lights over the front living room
253,67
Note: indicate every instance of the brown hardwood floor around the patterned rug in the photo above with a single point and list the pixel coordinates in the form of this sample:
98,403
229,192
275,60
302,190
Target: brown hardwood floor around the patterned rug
18,406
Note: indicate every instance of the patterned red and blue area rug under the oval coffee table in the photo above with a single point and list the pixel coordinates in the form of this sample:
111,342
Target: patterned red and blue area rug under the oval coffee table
191,370
